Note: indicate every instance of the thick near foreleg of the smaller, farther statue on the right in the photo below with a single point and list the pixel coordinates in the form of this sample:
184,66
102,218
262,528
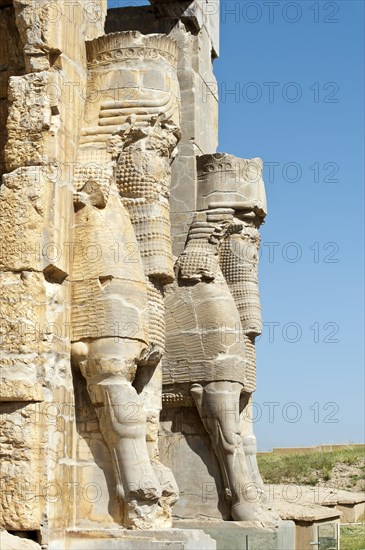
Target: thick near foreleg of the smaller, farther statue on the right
218,406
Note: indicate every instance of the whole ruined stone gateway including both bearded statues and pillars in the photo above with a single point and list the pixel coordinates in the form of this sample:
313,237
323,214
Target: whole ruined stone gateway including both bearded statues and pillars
129,278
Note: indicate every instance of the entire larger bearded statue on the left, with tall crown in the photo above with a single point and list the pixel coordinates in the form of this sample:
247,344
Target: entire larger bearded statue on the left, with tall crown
122,208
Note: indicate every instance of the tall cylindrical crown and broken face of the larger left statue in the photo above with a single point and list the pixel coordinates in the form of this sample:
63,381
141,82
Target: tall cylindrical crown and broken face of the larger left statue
137,96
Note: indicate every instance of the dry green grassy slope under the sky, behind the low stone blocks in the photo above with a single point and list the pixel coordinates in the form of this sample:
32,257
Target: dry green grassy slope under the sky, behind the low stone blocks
307,468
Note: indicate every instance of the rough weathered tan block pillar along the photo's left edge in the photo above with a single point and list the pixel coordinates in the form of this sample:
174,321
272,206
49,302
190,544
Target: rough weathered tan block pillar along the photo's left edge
43,54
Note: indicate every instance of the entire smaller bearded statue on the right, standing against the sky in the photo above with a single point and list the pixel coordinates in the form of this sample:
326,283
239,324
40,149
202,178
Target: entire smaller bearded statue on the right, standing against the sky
213,315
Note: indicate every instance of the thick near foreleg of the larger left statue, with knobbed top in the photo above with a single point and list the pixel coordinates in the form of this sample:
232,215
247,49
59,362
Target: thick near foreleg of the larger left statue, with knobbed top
109,367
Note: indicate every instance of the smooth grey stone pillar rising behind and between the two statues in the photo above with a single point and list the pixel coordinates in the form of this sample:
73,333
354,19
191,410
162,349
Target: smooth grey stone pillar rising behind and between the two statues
195,27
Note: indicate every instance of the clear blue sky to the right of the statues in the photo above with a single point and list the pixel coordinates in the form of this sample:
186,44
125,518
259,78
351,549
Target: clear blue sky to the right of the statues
274,53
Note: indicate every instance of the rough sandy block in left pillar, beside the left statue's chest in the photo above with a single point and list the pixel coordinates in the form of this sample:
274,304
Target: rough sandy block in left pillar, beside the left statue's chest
34,239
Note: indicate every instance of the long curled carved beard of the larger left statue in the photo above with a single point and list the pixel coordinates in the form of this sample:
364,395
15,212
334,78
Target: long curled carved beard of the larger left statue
143,177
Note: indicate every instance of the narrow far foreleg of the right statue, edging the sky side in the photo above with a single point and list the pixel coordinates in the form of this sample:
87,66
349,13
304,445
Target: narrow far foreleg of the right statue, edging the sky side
249,444
